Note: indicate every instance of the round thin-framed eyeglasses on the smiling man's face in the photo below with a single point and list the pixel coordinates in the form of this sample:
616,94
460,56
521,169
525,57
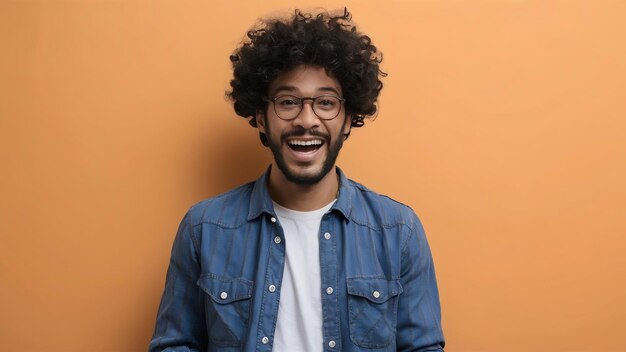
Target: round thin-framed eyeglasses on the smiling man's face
288,107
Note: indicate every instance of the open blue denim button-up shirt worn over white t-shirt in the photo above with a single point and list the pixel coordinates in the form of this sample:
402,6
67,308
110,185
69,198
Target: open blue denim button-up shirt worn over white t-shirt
231,248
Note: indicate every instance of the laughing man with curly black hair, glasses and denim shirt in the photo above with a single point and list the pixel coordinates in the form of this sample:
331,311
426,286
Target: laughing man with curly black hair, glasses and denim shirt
303,259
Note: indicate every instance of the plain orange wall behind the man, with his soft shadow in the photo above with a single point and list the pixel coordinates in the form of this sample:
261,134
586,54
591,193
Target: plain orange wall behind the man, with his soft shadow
502,123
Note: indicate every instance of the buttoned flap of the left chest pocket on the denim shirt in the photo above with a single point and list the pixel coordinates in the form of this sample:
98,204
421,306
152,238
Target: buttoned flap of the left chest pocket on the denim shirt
224,290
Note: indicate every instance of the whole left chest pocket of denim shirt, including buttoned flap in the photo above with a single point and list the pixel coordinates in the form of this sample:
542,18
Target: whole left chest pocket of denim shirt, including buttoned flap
227,308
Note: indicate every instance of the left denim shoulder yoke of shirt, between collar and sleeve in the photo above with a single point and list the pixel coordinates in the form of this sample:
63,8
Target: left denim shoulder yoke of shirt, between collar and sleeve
228,209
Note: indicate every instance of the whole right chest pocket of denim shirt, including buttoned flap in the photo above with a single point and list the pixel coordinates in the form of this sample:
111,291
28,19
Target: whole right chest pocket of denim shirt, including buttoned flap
373,306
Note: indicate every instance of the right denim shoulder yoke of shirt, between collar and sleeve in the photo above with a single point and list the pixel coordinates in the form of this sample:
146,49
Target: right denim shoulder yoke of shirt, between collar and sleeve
378,210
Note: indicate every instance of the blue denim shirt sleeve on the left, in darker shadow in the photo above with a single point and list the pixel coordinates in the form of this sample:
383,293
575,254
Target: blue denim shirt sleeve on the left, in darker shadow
180,324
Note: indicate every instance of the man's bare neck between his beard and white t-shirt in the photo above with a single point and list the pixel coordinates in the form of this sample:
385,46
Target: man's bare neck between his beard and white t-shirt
302,197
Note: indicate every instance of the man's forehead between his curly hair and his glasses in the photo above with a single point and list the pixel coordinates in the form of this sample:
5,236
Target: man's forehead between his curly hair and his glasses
306,81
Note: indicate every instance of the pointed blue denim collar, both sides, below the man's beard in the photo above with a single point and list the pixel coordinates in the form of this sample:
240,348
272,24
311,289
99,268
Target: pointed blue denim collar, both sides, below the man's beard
261,202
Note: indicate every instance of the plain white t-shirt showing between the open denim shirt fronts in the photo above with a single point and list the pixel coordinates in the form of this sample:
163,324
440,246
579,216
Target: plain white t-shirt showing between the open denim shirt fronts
299,321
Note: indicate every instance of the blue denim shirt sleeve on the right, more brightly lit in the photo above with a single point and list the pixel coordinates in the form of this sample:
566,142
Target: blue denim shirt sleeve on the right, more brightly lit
419,310
